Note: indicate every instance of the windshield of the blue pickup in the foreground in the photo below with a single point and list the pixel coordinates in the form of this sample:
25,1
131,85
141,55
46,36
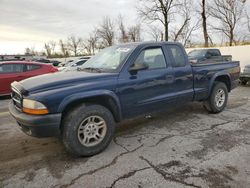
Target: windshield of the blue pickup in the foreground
109,59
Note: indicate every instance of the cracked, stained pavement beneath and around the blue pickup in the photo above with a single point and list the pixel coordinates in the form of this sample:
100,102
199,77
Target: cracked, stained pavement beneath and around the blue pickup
182,147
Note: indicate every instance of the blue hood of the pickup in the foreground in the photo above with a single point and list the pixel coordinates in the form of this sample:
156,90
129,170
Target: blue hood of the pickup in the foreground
62,79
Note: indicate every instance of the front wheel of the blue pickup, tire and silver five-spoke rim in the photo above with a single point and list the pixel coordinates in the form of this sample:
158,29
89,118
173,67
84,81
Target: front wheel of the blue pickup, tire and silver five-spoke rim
88,130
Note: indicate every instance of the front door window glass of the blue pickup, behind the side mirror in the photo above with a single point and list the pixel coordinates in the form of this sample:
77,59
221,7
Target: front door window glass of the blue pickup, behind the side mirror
153,57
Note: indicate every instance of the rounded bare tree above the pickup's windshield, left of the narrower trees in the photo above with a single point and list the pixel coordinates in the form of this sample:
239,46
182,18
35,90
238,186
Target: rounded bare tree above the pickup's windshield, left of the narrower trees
106,32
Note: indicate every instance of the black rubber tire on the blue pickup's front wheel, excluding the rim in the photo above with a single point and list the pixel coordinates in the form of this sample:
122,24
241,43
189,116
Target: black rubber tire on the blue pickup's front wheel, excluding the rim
74,119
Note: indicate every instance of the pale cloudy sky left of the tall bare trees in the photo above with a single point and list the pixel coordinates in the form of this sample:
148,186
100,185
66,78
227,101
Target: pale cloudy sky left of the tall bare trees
30,23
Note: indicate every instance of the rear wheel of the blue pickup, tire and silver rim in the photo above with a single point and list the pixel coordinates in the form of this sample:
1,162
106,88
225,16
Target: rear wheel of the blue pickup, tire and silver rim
218,98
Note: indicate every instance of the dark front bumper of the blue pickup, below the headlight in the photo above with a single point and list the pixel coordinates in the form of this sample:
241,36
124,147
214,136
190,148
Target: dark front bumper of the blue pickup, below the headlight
37,125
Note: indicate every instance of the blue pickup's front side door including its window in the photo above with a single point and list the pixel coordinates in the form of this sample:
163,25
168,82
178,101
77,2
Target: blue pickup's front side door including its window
147,90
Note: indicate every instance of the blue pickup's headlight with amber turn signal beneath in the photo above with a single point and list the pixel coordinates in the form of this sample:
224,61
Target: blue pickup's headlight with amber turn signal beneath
34,107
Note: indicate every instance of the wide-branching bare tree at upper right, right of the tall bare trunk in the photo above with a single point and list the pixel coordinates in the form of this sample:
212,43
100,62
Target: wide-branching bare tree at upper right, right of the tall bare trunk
228,13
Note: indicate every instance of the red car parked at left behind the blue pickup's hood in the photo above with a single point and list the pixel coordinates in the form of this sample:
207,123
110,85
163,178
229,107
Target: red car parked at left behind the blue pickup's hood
11,71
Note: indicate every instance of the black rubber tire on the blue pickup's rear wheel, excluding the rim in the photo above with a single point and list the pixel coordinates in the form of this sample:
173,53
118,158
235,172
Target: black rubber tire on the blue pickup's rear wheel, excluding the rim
210,105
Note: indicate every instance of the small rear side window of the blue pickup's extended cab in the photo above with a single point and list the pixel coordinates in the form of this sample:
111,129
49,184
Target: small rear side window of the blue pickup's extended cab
178,57
